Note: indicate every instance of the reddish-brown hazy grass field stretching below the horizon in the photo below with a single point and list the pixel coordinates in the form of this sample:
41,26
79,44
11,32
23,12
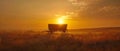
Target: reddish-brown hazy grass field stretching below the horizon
99,39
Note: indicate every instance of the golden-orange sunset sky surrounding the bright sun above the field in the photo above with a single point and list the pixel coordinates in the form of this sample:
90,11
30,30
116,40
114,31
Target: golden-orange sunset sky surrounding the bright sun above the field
36,14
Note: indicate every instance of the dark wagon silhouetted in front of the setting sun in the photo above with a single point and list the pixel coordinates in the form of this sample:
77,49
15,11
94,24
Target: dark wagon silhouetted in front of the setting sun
57,27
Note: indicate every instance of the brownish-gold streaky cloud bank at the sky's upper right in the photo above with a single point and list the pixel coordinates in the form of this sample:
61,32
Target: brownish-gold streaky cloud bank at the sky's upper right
97,8
